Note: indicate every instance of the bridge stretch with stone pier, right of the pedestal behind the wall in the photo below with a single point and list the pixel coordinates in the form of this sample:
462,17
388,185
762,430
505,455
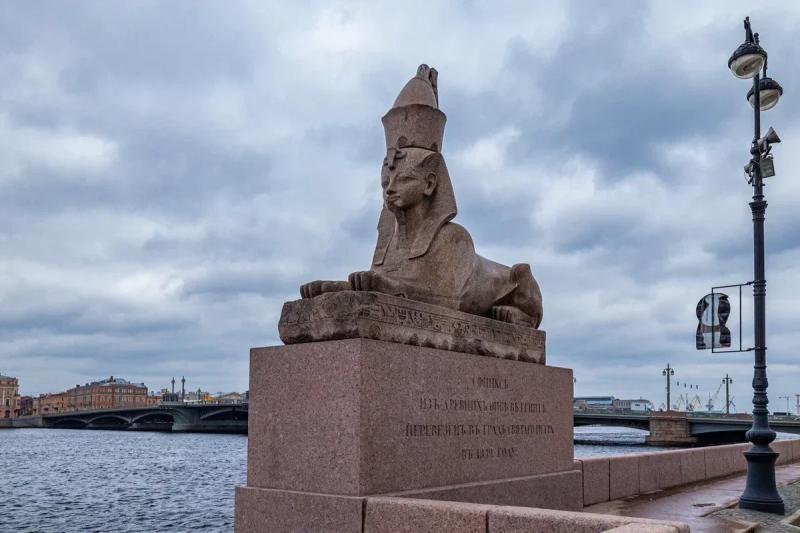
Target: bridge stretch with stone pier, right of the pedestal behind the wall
680,428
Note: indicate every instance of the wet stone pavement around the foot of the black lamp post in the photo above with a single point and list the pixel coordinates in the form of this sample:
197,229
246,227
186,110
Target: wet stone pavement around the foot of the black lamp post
711,506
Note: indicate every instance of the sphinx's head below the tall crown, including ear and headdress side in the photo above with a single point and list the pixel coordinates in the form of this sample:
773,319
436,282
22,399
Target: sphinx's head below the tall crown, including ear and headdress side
409,177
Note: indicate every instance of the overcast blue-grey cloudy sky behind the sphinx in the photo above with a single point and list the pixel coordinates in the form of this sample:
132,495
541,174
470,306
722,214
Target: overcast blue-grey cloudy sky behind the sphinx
171,172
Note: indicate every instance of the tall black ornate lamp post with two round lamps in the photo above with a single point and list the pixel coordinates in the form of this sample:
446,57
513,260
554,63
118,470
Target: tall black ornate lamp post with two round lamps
748,61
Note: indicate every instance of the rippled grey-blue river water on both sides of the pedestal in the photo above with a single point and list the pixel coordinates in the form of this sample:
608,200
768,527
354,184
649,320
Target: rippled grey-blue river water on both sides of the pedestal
61,480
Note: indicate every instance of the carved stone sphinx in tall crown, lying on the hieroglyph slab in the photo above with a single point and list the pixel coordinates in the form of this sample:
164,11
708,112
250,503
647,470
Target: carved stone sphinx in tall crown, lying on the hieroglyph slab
420,253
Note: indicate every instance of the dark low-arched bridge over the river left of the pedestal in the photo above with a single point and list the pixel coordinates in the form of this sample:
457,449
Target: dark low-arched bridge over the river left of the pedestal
176,417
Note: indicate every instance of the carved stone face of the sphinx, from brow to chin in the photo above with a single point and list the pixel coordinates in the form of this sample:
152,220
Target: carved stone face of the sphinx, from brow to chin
404,181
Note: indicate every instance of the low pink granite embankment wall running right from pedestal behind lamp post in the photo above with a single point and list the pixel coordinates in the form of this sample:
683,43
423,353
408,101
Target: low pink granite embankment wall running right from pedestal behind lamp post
610,478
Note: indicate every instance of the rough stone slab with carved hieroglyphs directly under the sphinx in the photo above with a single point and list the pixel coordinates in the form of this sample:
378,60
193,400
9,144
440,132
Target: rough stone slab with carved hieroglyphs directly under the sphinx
372,315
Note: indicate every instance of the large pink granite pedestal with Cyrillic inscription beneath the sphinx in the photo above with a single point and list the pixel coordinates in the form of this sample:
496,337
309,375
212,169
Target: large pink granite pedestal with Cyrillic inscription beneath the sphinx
334,422
